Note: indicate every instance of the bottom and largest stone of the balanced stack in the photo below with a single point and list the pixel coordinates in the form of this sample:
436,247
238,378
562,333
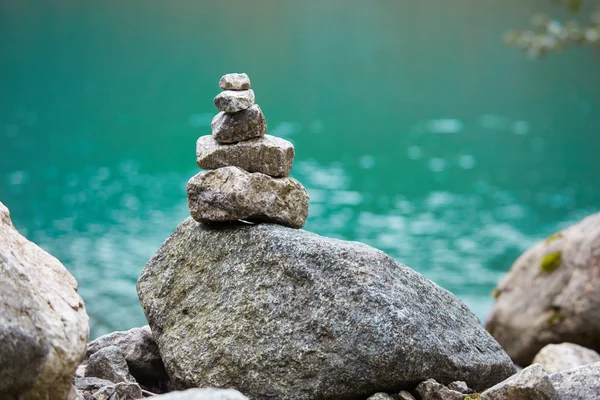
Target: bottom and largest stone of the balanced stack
229,194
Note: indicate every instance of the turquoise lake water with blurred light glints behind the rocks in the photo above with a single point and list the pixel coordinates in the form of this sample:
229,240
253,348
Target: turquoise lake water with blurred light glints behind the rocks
416,130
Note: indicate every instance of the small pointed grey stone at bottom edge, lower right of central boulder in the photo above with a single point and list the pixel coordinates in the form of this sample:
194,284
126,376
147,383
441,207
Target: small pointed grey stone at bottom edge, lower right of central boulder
531,383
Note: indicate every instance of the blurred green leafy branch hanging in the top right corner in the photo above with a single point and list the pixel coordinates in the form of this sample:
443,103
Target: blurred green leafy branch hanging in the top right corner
551,35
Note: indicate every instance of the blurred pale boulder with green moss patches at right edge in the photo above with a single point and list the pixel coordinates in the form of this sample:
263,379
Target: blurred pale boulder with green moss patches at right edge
551,294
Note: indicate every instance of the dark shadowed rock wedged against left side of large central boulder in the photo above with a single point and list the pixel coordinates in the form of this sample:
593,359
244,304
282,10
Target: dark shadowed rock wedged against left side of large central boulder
141,353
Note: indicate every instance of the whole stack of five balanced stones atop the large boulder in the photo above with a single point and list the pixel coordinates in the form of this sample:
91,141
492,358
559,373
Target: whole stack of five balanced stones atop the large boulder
248,175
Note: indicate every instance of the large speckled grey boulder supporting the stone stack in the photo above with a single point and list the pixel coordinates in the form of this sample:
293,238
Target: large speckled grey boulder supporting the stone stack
283,313
